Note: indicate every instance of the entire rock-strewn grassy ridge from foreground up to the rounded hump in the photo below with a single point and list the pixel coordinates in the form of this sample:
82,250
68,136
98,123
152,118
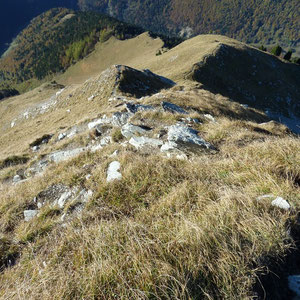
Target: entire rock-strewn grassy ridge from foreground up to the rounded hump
131,185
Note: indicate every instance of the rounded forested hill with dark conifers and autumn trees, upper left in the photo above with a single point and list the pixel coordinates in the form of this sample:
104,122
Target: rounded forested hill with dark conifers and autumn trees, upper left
58,38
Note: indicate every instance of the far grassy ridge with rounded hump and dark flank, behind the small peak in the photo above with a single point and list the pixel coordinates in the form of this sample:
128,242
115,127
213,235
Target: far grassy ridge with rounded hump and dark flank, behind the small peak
221,65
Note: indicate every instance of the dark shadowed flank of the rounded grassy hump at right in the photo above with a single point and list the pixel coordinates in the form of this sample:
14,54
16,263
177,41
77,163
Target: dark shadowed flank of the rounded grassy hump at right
250,76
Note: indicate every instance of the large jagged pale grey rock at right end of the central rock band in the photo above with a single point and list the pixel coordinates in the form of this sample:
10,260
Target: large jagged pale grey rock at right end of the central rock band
188,137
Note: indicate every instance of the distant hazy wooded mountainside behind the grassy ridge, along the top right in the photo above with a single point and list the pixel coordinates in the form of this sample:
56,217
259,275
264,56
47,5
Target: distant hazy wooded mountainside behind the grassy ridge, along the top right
255,21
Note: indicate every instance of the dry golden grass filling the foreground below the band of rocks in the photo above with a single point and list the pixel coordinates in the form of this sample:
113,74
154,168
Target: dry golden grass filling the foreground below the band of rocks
170,229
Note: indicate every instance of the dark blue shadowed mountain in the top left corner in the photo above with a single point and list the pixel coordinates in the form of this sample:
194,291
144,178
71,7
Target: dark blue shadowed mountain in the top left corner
16,15
